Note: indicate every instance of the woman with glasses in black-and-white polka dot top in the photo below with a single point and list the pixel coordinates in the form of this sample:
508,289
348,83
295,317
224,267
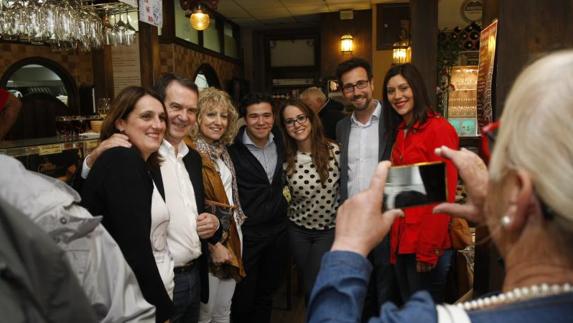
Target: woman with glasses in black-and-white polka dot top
313,177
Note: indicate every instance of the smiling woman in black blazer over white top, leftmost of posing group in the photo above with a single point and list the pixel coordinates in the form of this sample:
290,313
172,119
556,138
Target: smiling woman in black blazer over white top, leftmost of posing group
120,188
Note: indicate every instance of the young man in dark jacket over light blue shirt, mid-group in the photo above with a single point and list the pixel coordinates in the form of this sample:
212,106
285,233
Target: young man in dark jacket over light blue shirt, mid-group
258,157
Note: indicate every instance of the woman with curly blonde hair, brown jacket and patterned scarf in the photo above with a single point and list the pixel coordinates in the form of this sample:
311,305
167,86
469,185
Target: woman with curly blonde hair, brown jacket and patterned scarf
216,128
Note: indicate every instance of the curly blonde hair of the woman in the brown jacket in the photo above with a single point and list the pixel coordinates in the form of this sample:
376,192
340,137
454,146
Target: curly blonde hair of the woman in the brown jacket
211,98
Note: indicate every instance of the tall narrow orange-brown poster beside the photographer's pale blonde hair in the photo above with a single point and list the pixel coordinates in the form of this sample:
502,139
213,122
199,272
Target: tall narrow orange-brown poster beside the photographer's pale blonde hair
485,84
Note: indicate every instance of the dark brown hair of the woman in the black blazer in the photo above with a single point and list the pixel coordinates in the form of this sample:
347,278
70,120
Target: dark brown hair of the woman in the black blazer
121,106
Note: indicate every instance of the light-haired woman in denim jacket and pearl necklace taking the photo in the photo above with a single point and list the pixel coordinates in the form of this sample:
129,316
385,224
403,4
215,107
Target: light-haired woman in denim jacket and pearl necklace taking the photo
525,202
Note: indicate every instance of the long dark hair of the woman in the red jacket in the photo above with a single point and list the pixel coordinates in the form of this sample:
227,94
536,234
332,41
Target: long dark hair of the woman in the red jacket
421,99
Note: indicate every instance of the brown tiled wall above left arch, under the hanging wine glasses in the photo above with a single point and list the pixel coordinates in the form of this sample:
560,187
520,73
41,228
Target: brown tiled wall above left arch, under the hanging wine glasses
79,65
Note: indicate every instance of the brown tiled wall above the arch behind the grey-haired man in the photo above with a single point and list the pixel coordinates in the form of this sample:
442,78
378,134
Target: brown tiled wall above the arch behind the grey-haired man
185,62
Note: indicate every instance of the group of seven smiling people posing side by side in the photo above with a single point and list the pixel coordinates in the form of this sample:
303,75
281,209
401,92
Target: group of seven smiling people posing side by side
206,214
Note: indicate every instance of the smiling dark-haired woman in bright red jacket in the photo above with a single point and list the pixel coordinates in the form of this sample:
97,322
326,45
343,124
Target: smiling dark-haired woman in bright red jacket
420,242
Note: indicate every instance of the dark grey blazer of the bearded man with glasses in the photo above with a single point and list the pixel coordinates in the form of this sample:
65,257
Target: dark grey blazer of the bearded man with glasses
343,137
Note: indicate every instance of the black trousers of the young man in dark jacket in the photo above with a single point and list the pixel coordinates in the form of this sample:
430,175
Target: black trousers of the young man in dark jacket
265,262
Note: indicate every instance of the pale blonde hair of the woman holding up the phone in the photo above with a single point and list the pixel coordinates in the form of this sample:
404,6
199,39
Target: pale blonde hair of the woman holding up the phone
536,133
